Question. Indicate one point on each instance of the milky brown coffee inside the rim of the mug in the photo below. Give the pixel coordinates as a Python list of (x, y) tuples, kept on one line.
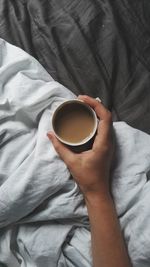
[(73, 123)]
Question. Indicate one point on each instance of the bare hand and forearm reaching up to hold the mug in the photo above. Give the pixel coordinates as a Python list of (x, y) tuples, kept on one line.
[(91, 170)]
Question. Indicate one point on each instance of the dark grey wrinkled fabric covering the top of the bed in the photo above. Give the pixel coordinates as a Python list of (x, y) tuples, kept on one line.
[(95, 47)]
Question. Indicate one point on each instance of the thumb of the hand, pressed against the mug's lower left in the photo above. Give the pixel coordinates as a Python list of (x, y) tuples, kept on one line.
[(65, 154)]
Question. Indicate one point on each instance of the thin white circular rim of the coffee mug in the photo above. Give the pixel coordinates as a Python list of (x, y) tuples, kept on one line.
[(85, 140)]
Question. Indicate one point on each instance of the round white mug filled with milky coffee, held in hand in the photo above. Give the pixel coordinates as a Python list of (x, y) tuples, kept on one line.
[(74, 123)]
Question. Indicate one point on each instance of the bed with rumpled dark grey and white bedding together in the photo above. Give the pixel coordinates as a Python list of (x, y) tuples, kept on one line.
[(99, 48)]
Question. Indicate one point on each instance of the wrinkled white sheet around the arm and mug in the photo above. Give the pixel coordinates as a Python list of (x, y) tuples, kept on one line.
[(43, 219)]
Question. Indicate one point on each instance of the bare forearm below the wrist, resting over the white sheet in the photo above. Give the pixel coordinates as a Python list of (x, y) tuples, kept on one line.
[(108, 247)]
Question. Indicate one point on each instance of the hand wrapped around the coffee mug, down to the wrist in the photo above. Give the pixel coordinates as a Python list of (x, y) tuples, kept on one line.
[(91, 169)]
